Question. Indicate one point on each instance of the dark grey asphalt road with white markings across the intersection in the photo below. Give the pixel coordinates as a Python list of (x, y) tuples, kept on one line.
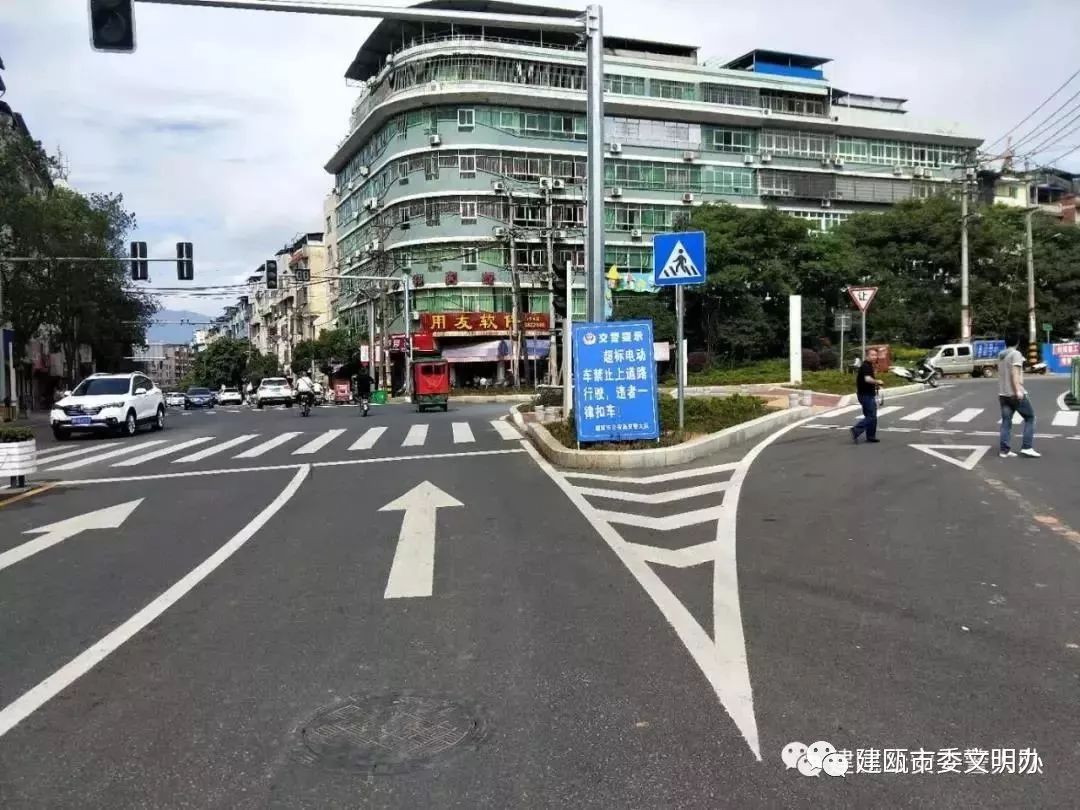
[(248, 627)]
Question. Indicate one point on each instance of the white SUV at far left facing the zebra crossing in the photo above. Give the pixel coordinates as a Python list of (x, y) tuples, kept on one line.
[(110, 402)]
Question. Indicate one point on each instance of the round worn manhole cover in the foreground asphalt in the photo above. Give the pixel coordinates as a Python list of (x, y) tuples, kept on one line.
[(390, 733)]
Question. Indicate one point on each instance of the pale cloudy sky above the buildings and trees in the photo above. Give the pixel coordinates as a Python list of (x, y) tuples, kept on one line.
[(218, 128)]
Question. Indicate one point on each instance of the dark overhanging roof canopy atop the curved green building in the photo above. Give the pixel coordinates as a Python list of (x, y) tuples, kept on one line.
[(393, 35)]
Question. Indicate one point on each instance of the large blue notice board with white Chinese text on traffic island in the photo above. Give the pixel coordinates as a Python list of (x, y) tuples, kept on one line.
[(615, 382)]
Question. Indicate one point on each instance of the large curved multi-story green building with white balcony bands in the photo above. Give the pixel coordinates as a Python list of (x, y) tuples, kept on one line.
[(465, 163)]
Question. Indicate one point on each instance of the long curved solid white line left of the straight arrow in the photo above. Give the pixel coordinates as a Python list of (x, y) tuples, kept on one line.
[(37, 697)]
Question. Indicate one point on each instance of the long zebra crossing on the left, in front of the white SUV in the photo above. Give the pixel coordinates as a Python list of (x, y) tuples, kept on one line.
[(121, 454)]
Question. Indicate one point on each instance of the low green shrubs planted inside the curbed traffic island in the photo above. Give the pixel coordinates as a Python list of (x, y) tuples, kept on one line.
[(703, 415)]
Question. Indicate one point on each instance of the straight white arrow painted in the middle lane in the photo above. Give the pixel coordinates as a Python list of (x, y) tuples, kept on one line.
[(413, 572)]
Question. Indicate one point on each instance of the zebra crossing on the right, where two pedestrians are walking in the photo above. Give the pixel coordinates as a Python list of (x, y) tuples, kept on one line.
[(965, 422)]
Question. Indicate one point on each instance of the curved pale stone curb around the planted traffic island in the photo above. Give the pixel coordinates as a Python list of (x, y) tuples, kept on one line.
[(661, 456)]
